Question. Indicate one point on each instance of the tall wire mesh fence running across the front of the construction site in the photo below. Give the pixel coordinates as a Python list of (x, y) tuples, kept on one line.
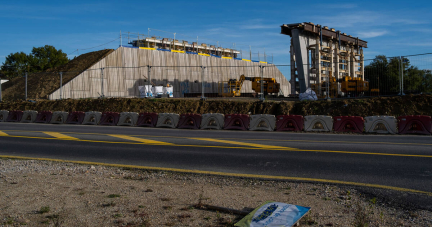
[(382, 76)]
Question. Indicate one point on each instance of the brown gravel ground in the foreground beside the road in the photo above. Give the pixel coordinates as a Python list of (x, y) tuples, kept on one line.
[(43, 193)]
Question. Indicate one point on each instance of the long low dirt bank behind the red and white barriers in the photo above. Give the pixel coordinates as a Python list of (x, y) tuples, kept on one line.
[(394, 106)]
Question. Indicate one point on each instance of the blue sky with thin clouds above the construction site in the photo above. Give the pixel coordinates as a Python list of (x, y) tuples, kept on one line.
[(392, 28)]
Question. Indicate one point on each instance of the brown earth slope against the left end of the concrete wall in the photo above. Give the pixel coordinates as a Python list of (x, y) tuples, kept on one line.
[(40, 85)]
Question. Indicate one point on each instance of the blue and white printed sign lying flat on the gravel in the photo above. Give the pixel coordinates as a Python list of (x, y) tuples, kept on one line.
[(273, 214)]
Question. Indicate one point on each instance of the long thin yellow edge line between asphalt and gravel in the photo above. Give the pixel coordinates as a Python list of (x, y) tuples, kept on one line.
[(267, 177)]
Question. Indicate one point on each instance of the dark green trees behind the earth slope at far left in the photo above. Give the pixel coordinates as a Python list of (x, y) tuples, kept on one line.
[(40, 59)]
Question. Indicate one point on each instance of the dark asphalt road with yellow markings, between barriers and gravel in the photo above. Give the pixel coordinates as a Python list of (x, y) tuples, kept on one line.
[(386, 160)]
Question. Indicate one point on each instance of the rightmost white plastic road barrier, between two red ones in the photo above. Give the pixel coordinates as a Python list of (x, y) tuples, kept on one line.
[(381, 124)]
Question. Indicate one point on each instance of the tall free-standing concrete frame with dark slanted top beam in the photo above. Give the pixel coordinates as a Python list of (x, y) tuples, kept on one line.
[(318, 53)]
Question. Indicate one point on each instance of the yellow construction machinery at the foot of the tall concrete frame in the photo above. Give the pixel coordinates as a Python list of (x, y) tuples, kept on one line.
[(353, 86)]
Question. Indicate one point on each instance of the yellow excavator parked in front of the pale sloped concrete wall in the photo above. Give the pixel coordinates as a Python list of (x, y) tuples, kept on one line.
[(233, 88)]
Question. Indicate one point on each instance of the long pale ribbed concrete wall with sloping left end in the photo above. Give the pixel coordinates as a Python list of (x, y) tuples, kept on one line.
[(121, 73)]
